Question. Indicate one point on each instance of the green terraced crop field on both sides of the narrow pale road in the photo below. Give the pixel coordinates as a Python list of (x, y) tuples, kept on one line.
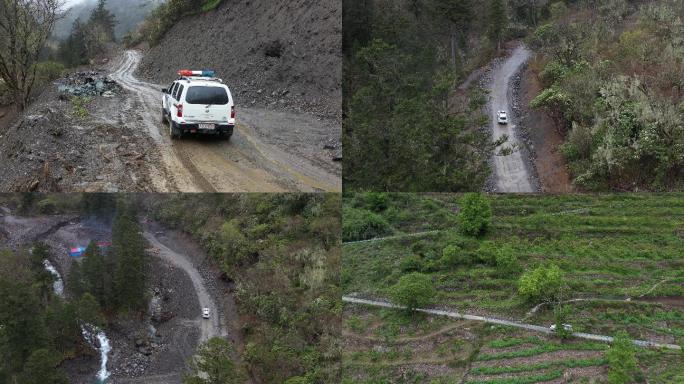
[(621, 257)]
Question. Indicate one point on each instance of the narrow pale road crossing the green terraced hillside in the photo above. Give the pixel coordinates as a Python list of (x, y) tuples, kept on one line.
[(508, 323)]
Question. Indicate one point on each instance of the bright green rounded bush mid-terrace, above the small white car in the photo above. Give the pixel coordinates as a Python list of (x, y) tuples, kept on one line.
[(542, 283)]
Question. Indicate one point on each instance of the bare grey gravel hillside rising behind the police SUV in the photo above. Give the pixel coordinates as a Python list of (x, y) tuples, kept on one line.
[(278, 54)]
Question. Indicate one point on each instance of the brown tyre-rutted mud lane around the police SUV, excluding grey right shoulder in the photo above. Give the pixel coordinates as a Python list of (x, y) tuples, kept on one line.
[(210, 165)]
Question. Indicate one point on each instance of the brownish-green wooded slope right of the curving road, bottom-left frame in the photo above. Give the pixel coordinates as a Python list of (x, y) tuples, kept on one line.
[(283, 253)]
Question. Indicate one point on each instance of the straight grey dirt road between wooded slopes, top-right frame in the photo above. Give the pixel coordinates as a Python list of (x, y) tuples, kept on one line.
[(511, 170)]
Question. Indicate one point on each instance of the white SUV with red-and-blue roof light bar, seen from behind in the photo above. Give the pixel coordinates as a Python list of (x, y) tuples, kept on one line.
[(198, 102)]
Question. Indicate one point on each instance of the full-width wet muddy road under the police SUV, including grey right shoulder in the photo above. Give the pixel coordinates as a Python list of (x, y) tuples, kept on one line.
[(249, 162)]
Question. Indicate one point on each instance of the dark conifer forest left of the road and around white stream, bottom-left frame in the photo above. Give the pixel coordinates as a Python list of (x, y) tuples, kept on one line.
[(38, 329)]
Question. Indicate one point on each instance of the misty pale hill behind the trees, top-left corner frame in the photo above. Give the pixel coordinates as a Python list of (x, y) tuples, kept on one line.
[(129, 13)]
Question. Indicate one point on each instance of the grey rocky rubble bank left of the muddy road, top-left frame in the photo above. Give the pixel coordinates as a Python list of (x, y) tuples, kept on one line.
[(51, 148)]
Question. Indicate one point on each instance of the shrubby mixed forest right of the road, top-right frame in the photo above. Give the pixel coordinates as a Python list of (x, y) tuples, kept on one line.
[(613, 73)]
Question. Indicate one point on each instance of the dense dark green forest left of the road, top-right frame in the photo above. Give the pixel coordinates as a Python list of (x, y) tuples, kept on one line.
[(406, 126)]
